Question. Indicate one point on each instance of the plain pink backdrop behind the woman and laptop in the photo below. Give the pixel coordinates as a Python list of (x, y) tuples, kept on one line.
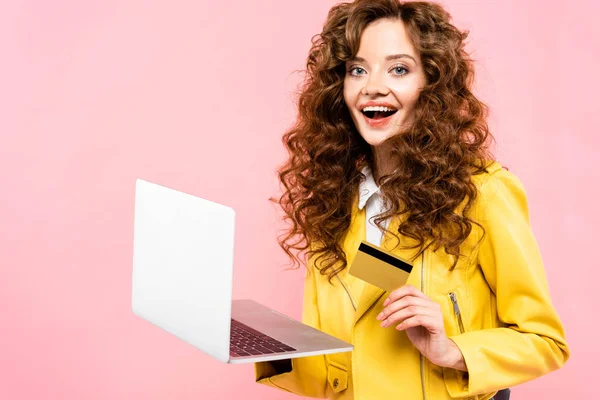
[(196, 95)]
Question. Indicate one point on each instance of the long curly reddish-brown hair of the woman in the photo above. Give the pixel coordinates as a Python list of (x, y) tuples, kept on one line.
[(445, 145)]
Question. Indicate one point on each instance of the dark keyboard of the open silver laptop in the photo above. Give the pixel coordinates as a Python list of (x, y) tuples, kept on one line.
[(246, 341)]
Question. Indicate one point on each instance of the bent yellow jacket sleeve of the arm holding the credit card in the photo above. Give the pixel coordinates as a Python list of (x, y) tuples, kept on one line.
[(533, 341)]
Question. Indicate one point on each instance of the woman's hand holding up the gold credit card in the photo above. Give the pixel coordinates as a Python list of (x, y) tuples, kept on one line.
[(410, 310)]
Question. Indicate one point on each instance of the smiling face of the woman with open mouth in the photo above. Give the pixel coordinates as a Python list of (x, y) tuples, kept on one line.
[(383, 82)]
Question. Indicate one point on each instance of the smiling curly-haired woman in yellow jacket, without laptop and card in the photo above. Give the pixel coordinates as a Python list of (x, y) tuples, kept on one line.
[(391, 147)]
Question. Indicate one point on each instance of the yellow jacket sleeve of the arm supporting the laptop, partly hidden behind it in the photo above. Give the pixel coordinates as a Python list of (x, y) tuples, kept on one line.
[(308, 376)]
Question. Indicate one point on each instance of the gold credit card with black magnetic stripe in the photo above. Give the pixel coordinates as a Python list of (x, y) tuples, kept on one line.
[(379, 267)]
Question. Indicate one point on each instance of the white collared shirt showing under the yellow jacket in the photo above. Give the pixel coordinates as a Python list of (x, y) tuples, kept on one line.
[(370, 197)]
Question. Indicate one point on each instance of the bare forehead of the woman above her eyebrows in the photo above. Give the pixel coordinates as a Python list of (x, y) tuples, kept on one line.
[(384, 37)]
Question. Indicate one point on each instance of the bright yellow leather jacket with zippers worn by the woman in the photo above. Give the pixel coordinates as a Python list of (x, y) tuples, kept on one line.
[(495, 302)]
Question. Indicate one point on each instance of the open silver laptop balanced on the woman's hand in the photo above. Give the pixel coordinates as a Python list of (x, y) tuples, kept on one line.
[(182, 282)]
